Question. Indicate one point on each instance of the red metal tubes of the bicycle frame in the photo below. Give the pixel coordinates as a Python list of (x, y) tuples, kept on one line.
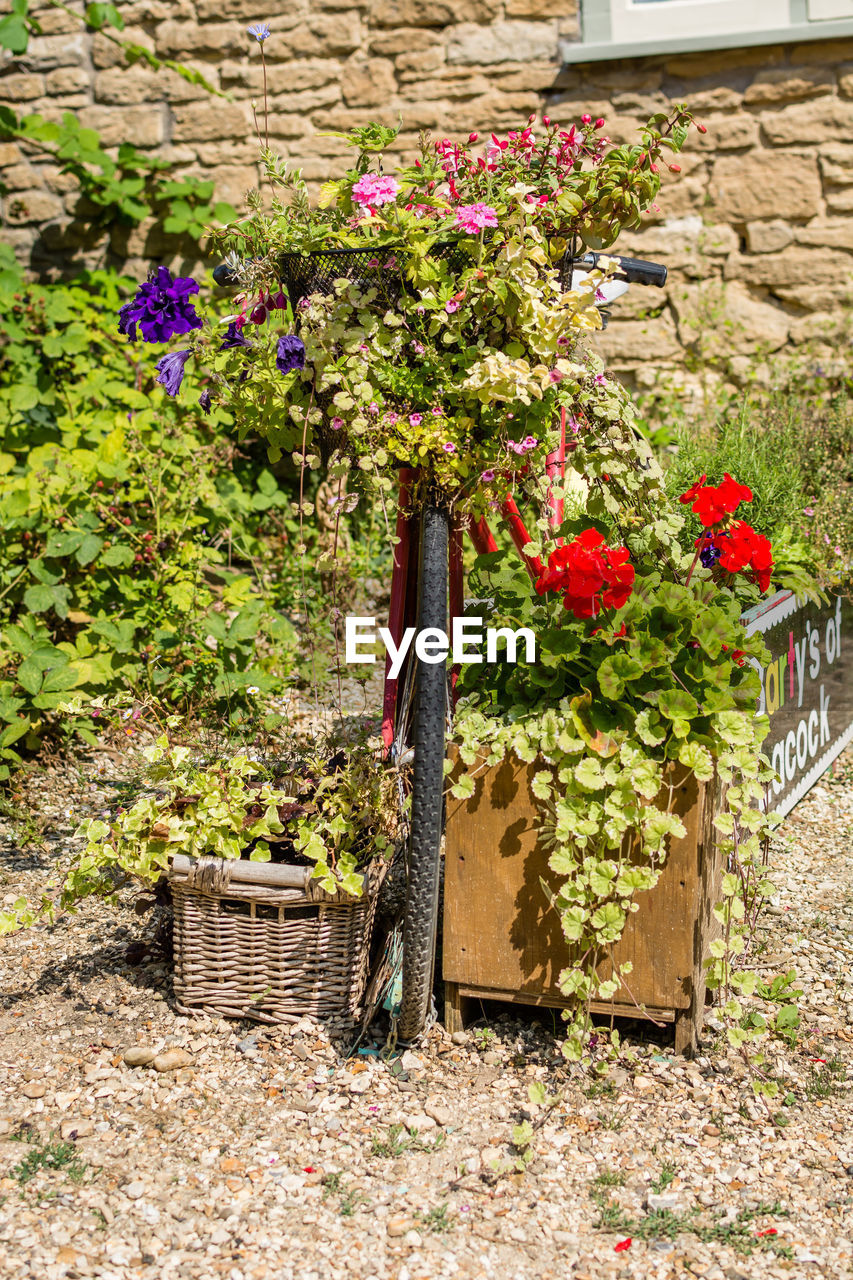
[(478, 531)]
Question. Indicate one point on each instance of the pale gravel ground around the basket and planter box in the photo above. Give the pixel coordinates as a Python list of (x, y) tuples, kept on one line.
[(248, 1153)]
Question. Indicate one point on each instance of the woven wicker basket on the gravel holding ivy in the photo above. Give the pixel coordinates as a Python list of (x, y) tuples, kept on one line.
[(264, 941)]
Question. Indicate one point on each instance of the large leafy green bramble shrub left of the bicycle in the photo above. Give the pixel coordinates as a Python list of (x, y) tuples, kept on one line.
[(135, 533)]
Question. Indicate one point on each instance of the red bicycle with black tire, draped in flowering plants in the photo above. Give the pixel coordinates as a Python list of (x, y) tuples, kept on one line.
[(418, 703)]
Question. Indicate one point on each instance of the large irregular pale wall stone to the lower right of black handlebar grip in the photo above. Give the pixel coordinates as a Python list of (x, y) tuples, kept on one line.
[(717, 318)]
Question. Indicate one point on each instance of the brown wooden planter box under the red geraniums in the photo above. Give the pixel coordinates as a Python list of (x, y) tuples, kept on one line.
[(503, 940)]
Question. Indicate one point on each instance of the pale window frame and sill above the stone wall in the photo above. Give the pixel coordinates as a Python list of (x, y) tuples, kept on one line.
[(599, 43)]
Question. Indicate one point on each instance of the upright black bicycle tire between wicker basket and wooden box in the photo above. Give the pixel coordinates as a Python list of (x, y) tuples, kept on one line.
[(421, 918)]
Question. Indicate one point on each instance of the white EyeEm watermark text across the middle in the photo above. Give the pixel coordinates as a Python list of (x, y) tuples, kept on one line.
[(434, 646)]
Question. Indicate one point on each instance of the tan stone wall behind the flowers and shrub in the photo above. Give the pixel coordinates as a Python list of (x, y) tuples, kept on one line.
[(758, 230)]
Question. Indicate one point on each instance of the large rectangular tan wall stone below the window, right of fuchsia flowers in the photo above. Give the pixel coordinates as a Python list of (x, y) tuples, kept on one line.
[(756, 186)]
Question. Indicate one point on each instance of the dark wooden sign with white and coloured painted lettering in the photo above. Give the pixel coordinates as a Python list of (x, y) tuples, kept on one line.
[(806, 691)]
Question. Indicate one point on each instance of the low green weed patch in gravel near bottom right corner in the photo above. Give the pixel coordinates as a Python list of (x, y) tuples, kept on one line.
[(667, 1226)]
